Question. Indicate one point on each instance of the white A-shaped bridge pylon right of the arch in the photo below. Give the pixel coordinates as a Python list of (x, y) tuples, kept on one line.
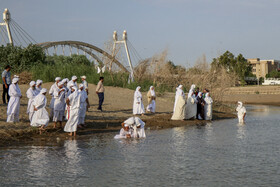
[(123, 41)]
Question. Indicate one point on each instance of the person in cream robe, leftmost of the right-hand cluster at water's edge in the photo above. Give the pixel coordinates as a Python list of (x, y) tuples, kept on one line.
[(180, 105)]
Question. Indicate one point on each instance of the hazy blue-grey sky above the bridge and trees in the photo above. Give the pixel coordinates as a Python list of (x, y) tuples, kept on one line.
[(188, 29)]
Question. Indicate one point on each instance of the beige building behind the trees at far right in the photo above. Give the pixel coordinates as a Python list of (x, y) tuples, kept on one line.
[(262, 67)]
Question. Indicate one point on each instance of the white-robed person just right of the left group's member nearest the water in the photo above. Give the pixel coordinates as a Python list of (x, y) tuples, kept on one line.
[(84, 104)]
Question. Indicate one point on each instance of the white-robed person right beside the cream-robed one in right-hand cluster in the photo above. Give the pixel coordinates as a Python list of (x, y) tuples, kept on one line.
[(191, 108)]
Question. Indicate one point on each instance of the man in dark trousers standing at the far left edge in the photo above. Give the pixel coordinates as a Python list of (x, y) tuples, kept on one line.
[(6, 79)]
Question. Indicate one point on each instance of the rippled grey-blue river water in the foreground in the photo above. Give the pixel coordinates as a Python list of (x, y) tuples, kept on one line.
[(221, 153)]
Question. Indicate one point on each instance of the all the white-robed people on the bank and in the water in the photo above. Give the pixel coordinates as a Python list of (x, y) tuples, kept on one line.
[(70, 102)]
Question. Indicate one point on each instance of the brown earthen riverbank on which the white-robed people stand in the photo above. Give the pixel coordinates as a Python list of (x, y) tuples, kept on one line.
[(117, 107)]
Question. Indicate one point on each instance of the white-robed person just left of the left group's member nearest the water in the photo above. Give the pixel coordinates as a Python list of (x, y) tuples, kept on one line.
[(59, 104)]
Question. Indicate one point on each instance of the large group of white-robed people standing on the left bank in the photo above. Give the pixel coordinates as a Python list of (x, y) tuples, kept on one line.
[(69, 102)]
